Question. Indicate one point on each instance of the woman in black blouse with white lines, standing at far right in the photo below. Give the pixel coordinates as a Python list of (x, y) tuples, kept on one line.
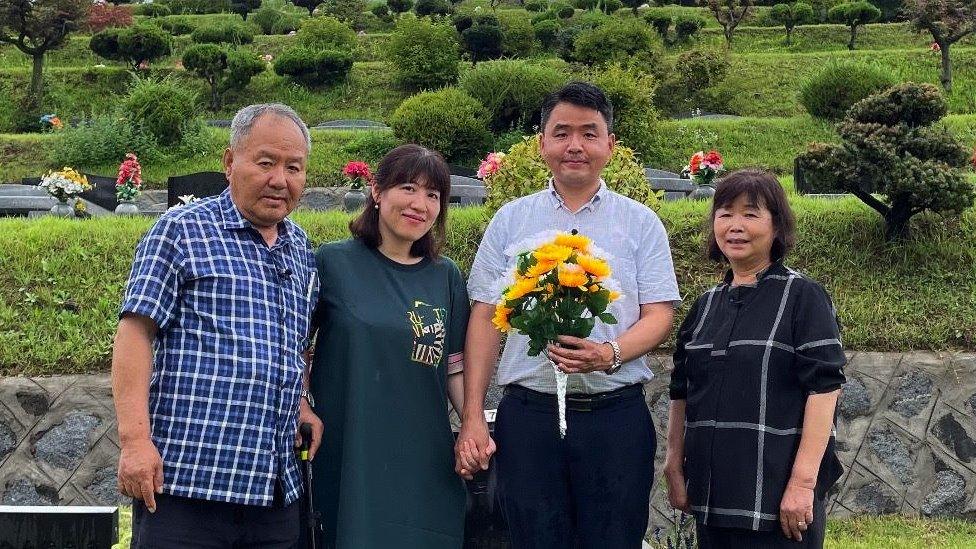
[(757, 371)]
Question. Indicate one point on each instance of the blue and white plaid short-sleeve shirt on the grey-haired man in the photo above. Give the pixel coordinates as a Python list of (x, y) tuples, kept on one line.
[(233, 317)]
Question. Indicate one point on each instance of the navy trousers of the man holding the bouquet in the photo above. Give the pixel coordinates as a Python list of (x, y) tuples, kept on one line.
[(589, 490)]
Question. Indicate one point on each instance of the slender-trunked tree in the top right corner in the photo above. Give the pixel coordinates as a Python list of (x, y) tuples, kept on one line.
[(948, 21)]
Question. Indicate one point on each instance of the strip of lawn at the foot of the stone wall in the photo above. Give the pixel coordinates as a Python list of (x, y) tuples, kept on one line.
[(858, 533)]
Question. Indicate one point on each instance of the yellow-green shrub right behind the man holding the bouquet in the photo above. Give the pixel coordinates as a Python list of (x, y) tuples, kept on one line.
[(523, 172)]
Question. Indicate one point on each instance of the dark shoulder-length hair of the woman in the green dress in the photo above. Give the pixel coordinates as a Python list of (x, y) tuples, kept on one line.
[(407, 164)]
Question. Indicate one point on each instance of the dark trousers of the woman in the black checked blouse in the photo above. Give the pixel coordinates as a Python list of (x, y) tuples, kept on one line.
[(714, 537)]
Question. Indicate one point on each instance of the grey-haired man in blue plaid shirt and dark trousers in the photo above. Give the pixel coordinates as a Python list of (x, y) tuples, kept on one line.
[(207, 369)]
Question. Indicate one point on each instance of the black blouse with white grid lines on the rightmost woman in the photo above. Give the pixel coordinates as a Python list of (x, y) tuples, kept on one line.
[(746, 359)]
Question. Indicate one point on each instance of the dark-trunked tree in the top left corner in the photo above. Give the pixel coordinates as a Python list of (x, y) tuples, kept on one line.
[(38, 26)]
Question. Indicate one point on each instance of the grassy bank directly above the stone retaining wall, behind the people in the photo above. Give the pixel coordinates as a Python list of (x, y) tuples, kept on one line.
[(62, 279)]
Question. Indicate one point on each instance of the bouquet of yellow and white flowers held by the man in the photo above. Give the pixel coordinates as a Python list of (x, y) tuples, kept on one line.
[(561, 285)]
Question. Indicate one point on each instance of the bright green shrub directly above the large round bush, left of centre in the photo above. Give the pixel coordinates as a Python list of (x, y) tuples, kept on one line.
[(424, 54)]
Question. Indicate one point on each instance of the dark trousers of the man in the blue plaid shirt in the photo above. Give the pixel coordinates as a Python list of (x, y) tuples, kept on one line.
[(196, 523)]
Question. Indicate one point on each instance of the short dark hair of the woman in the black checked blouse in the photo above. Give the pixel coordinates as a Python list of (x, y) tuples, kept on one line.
[(762, 189)]
